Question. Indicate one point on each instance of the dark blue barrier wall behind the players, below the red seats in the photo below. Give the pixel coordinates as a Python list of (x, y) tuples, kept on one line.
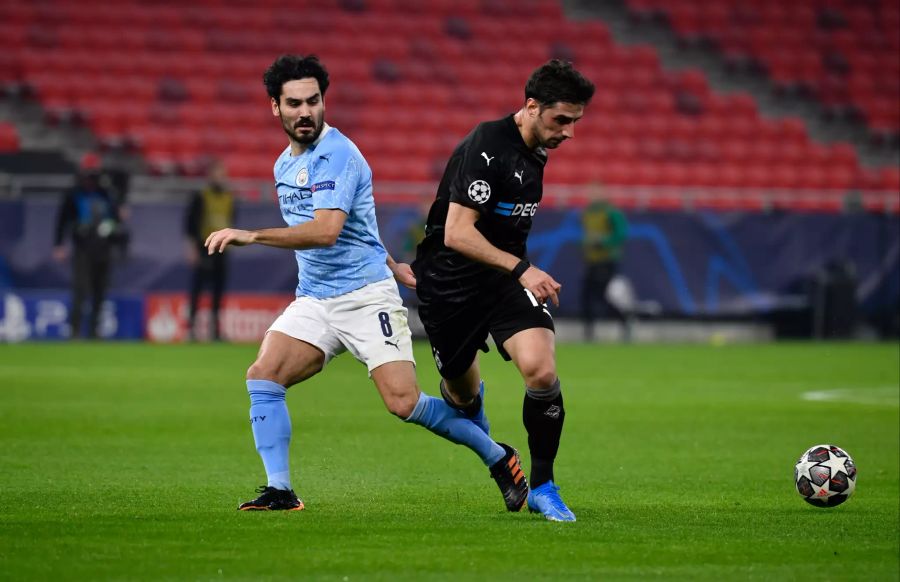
[(688, 264)]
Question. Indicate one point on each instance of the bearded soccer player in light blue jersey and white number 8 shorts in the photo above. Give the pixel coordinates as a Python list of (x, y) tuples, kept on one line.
[(347, 299)]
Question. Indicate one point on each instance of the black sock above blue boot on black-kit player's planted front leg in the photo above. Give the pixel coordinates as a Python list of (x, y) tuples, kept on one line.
[(543, 415)]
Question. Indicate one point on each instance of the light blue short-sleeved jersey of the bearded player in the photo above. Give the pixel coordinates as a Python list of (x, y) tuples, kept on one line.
[(332, 173)]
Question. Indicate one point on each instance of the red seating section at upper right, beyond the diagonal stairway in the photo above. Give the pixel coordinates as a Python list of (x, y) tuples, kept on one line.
[(845, 53)]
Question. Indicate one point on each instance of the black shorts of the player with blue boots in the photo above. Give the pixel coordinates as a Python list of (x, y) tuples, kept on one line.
[(458, 330)]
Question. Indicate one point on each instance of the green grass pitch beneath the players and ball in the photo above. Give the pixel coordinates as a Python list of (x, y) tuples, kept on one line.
[(127, 461)]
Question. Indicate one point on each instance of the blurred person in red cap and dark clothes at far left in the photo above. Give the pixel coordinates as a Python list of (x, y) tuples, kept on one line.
[(92, 216)]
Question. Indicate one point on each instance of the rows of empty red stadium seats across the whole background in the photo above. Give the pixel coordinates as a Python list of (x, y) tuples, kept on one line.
[(182, 84)]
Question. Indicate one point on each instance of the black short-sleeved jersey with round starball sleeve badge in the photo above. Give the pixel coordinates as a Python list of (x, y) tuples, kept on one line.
[(494, 172)]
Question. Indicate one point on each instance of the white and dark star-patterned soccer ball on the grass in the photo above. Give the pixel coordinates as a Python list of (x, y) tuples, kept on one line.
[(825, 476)]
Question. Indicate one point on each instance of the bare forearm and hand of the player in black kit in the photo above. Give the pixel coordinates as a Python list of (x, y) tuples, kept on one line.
[(461, 235)]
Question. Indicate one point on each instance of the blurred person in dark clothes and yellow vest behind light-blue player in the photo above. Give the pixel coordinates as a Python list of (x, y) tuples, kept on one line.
[(211, 209)]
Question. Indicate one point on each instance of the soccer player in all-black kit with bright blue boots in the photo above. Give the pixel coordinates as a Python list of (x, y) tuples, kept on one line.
[(473, 275)]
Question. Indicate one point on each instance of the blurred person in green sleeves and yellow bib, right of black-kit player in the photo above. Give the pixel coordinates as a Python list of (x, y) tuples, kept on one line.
[(605, 230)]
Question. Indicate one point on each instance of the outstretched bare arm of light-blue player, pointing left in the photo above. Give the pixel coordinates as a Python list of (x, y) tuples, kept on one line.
[(321, 231)]
